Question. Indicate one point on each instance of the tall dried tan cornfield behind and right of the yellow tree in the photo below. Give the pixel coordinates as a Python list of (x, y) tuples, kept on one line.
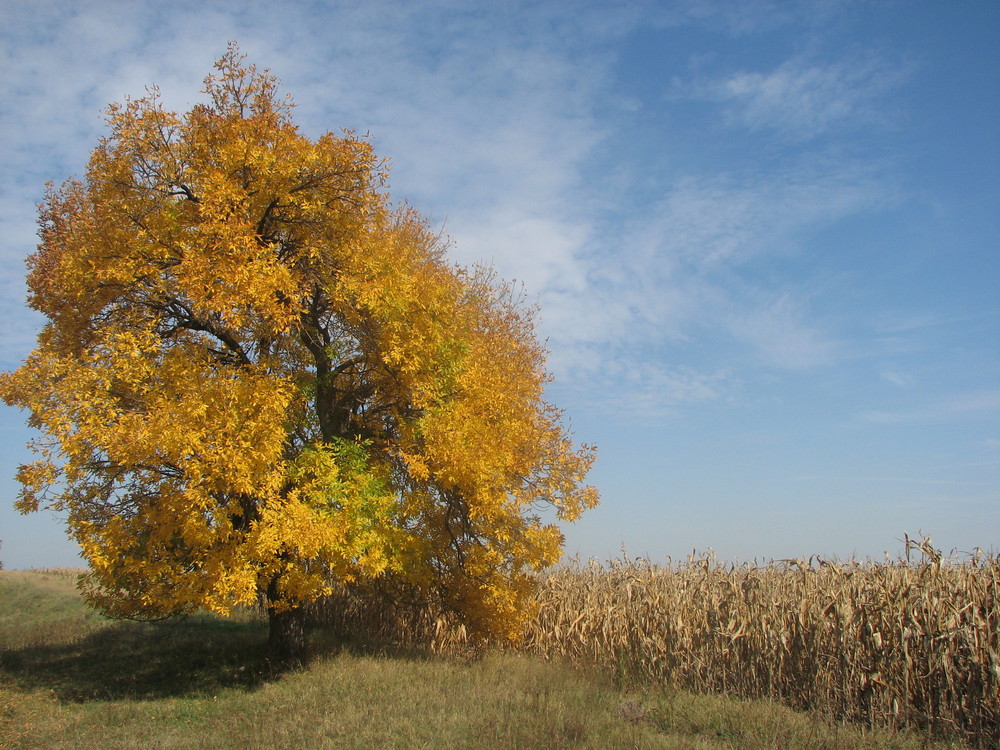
[(904, 643)]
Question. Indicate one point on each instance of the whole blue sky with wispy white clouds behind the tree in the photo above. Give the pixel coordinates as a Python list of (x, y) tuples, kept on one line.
[(764, 237)]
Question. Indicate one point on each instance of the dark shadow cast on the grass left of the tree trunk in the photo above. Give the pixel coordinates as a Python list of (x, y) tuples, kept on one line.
[(198, 655)]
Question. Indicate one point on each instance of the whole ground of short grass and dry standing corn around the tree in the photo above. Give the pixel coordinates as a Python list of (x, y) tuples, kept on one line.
[(617, 657)]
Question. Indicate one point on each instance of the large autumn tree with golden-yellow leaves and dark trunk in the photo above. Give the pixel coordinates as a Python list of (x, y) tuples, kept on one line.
[(258, 378)]
